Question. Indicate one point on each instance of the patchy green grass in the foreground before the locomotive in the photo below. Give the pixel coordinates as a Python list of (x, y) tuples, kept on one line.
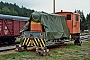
[(66, 52)]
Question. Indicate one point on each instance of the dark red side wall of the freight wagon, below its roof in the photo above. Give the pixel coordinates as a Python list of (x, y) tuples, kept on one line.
[(11, 27)]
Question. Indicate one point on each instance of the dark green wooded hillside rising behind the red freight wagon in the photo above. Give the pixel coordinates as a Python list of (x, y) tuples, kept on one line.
[(13, 9)]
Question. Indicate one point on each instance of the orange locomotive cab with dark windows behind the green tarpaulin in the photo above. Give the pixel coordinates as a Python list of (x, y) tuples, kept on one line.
[(73, 23)]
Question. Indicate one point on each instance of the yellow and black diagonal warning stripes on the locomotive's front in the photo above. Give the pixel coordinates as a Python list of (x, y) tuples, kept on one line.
[(36, 42)]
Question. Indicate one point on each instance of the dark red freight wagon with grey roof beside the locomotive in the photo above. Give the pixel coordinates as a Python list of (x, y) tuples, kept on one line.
[(10, 27)]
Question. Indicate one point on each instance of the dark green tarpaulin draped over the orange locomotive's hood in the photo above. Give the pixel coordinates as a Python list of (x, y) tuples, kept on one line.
[(55, 25)]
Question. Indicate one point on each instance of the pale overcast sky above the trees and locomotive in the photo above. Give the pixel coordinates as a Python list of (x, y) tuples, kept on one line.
[(47, 5)]
